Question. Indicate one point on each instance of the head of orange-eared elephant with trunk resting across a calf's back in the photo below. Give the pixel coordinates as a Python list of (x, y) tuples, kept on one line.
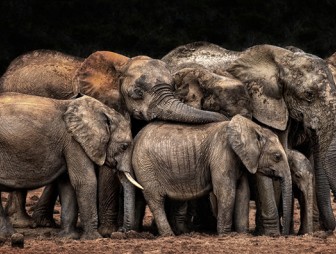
[(140, 84)]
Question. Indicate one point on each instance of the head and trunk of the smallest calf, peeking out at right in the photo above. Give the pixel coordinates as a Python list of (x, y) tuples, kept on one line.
[(302, 177)]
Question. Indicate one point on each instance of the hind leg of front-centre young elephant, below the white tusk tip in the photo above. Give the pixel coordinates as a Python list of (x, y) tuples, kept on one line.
[(156, 204)]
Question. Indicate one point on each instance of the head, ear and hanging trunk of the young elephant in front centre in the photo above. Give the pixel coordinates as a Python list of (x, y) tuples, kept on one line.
[(261, 152)]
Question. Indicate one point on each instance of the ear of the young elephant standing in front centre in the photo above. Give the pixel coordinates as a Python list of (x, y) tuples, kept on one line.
[(247, 140)]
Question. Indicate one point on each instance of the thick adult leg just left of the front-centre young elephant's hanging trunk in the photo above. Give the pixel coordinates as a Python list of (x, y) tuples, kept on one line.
[(267, 217)]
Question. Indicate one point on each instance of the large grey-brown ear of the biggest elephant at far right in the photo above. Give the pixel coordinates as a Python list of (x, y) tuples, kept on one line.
[(258, 67)]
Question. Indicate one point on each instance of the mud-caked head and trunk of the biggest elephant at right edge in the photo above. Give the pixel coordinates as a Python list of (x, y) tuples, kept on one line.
[(282, 83)]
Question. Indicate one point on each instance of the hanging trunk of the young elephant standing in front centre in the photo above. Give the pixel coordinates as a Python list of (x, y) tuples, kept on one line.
[(287, 202)]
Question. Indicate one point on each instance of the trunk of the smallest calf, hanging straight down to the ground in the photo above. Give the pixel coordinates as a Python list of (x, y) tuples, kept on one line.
[(306, 210)]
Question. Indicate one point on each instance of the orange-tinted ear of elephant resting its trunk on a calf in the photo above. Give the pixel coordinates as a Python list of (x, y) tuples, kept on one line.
[(99, 75)]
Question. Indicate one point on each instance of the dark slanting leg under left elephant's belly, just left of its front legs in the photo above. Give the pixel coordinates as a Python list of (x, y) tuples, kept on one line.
[(44, 209)]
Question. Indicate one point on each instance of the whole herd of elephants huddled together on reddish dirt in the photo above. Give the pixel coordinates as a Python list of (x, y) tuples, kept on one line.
[(201, 131)]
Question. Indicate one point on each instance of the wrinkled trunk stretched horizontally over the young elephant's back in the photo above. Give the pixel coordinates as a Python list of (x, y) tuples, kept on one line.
[(166, 107)]
